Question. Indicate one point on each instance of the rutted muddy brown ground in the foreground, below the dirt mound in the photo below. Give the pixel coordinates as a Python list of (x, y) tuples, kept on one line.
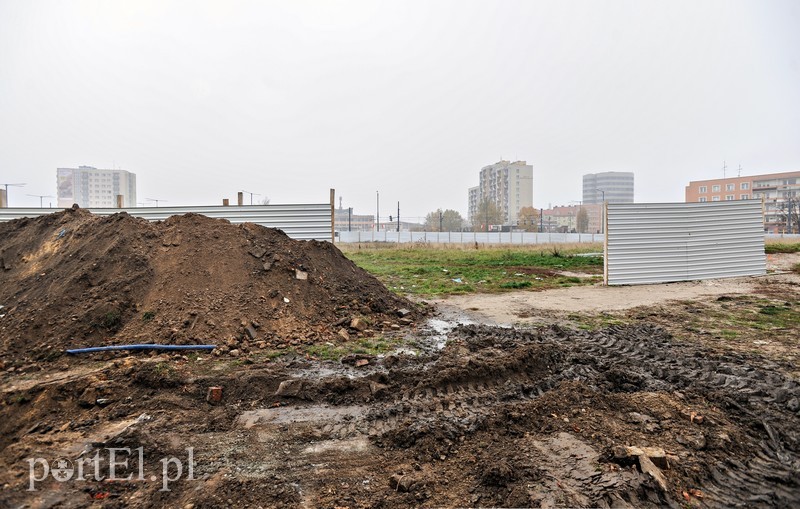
[(639, 407)]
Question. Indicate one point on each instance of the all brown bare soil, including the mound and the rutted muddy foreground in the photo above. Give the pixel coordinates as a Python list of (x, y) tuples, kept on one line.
[(471, 415)]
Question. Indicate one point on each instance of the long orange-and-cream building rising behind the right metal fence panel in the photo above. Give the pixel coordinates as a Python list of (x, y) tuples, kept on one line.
[(780, 192)]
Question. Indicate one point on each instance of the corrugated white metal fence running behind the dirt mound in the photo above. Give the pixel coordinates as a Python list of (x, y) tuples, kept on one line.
[(300, 221)]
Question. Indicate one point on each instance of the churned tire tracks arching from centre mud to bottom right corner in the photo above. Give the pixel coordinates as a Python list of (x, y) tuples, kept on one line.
[(505, 367)]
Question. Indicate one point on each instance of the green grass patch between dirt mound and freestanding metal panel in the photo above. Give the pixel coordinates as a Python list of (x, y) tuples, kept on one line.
[(433, 271)]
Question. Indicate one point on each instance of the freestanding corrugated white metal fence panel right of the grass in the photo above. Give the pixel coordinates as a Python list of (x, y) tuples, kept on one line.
[(665, 242)]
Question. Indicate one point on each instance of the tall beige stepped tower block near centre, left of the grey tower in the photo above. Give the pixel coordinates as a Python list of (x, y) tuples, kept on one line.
[(508, 185)]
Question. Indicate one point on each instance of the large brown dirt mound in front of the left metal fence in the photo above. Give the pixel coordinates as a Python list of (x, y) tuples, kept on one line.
[(72, 279)]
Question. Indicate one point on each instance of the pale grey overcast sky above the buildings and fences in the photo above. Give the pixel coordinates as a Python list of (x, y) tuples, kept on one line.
[(289, 99)]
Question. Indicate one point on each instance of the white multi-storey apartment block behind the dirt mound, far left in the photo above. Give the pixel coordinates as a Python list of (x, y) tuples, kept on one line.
[(90, 187)]
